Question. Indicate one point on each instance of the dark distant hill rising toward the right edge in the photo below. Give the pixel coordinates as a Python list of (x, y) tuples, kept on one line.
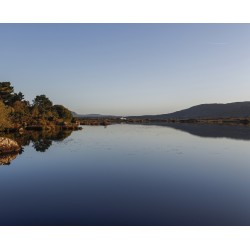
[(234, 110)]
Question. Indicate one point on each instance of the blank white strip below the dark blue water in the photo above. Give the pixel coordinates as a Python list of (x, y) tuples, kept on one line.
[(124, 238)]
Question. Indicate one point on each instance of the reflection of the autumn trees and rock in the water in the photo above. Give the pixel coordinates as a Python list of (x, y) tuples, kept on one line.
[(41, 141)]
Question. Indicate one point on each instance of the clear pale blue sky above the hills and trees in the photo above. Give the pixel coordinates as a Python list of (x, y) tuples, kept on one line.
[(128, 69)]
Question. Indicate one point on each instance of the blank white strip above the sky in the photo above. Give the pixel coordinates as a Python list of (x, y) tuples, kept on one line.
[(128, 11)]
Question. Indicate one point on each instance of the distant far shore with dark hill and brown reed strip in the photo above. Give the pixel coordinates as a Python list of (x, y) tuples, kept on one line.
[(236, 113)]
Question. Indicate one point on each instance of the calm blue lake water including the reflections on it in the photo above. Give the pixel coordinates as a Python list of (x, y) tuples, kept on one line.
[(130, 175)]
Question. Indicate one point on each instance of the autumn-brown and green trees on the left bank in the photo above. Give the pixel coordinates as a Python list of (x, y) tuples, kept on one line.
[(18, 114)]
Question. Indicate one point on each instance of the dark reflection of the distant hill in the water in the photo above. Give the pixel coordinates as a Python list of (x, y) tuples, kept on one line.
[(239, 132)]
